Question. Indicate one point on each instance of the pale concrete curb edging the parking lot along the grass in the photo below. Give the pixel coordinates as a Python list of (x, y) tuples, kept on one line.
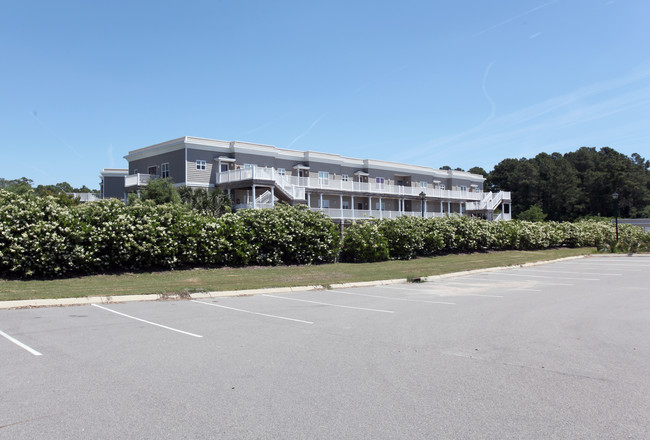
[(78, 301)]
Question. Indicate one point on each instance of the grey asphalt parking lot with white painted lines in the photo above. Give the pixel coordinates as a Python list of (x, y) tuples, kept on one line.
[(552, 351)]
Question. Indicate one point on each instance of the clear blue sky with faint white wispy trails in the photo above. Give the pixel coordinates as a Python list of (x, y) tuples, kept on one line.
[(459, 83)]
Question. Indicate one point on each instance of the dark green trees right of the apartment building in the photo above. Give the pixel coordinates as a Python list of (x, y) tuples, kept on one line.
[(576, 184)]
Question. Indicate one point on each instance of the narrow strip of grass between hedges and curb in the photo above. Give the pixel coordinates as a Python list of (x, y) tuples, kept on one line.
[(195, 280)]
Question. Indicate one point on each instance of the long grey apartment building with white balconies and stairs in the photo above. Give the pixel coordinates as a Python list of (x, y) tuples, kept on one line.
[(258, 176)]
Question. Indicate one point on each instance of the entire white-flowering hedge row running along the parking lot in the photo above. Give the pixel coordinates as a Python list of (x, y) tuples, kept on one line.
[(40, 237)]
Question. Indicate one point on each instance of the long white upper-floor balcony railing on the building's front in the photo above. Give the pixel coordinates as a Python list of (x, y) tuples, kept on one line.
[(292, 183)]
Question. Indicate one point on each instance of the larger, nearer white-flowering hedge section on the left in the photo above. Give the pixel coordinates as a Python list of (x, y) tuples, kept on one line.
[(41, 238)]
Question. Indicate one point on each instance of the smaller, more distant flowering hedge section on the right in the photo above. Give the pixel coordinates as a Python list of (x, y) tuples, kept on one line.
[(409, 237)]
